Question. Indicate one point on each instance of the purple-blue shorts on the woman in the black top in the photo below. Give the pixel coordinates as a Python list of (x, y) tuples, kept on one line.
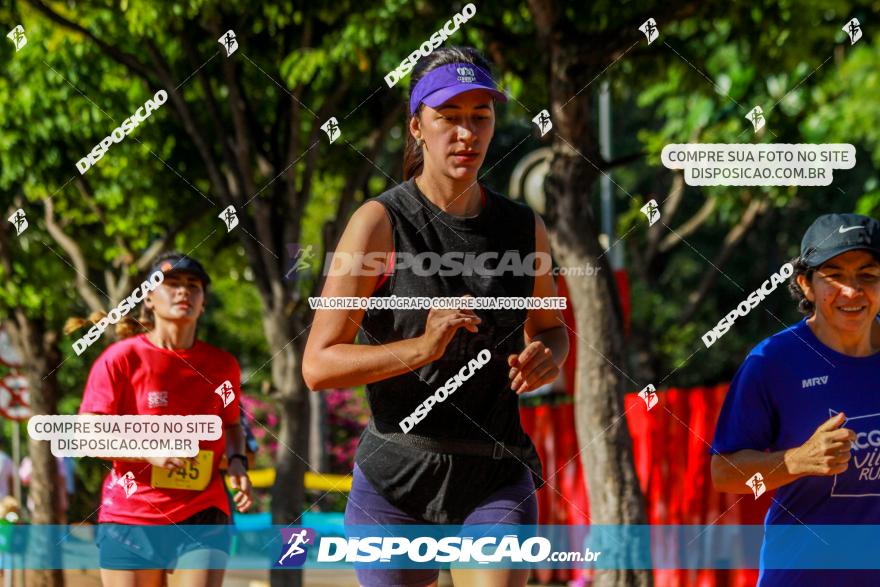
[(513, 504)]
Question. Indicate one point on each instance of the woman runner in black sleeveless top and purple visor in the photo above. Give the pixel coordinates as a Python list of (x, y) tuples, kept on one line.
[(445, 444)]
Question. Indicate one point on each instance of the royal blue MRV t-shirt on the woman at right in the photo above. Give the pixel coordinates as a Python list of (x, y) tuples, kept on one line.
[(786, 387)]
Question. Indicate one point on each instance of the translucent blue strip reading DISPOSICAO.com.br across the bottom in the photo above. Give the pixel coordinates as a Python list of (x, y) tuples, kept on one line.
[(117, 546)]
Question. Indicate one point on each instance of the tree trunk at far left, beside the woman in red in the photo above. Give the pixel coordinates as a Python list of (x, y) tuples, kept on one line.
[(41, 355)]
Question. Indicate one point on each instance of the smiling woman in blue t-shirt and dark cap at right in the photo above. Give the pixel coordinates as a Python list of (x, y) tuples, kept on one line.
[(803, 410)]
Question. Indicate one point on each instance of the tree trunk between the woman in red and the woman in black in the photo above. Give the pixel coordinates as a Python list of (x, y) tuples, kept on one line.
[(291, 462)]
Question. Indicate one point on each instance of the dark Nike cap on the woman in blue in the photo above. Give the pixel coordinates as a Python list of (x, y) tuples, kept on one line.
[(834, 234)]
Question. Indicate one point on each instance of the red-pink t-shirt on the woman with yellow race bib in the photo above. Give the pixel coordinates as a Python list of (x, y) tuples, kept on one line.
[(133, 376)]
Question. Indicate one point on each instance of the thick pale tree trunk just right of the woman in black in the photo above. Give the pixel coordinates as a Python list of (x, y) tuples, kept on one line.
[(606, 447)]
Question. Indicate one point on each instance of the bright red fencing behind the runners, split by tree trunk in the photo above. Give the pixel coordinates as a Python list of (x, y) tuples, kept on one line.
[(671, 451)]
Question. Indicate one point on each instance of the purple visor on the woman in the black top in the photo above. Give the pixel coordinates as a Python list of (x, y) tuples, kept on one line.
[(447, 81)]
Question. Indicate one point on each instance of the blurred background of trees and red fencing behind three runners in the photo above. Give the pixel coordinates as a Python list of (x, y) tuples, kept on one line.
[(244, 130)]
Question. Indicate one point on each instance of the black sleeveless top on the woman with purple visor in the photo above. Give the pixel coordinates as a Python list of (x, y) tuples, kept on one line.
[(445, 488)]
